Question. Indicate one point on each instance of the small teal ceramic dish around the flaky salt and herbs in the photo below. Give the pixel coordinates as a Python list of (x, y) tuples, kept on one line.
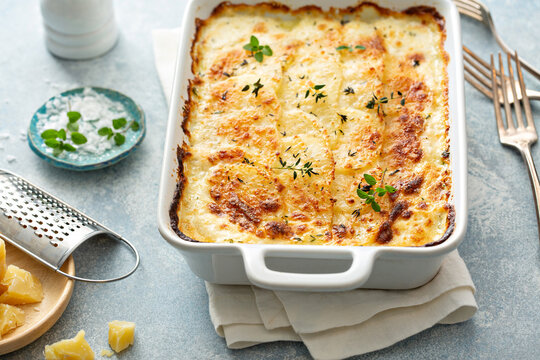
[(84, 161)]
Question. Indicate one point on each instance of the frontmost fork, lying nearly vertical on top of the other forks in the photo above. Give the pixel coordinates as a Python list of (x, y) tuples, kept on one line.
[(522, 135)]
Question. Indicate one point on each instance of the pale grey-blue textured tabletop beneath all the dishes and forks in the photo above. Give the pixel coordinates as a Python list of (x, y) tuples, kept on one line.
[(168, 303)]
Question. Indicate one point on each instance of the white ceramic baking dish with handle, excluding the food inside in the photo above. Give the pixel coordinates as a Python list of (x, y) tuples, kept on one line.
[(317, 267)]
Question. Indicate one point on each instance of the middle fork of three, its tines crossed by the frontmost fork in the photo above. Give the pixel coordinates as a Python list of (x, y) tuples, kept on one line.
[(478, 74)]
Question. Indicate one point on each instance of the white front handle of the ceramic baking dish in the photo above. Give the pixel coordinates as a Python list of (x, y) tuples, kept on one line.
[(260, 275)]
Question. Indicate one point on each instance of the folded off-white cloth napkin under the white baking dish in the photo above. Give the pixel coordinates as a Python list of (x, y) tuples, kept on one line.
[(331, 325)]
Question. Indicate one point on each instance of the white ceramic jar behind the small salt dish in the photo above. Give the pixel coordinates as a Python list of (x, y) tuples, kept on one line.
[(79, 29)]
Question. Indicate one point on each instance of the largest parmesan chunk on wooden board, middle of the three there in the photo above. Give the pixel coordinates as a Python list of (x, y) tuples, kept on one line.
[(23, 287)]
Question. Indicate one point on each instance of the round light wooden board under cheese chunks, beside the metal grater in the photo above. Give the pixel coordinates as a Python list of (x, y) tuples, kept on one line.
[(40, 317)]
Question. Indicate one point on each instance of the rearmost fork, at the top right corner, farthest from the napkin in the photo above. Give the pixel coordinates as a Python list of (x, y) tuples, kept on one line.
[(477, 10)]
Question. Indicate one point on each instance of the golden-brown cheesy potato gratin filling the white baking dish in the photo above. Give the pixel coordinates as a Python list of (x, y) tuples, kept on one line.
[(283, 165)]
